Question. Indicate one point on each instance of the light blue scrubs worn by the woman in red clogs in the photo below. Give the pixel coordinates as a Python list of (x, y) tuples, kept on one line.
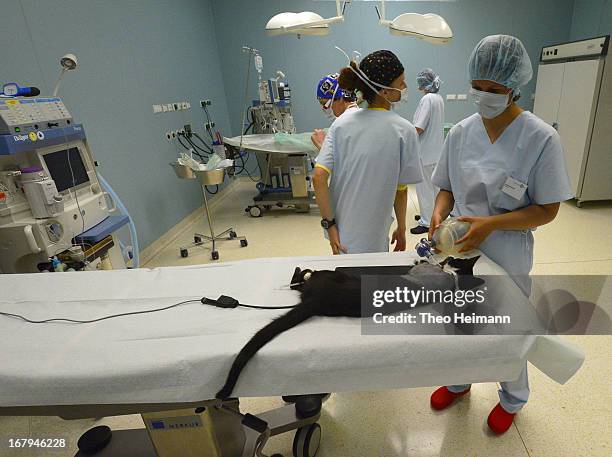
[(528, 152)]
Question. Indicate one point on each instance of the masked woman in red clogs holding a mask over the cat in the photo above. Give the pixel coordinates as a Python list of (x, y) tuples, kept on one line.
[(503, 171)]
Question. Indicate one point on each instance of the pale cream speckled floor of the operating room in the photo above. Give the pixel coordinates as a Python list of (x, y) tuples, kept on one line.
[(570, 420)]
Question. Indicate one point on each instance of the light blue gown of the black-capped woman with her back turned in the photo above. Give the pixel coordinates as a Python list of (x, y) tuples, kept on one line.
[(370, 154)]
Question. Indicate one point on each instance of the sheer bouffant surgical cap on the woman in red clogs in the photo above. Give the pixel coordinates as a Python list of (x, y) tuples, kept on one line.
[(502, 59)]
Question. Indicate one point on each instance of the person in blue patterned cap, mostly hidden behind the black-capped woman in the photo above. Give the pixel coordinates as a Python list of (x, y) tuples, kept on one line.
[(334, 102)]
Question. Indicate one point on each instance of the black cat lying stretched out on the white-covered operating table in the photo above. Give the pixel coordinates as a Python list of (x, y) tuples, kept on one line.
[(338, 294)]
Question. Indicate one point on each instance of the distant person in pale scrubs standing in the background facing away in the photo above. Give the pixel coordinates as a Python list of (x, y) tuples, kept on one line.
[(428, 120)]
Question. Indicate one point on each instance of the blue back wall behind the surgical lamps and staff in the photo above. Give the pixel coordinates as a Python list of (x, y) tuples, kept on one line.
[(240, 22)]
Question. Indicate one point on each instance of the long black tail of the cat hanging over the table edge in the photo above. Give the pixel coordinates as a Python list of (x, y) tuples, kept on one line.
[(289, 320)]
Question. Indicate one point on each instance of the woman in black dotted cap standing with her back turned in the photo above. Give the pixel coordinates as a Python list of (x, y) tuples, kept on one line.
[(369, 156)]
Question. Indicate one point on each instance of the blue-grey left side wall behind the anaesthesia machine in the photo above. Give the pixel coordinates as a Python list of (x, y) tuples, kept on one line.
[(131, 54)]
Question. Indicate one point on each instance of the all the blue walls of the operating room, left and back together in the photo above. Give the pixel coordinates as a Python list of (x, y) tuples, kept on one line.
[(135, 53)]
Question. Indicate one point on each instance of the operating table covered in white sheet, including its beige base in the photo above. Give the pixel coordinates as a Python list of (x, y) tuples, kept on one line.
[(168, 365)]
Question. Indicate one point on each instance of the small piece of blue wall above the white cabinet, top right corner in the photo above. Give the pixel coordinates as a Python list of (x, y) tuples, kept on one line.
[(591, 18)]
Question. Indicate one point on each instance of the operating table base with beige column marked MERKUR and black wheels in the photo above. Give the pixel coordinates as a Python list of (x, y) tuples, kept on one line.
[(212, 428)]
